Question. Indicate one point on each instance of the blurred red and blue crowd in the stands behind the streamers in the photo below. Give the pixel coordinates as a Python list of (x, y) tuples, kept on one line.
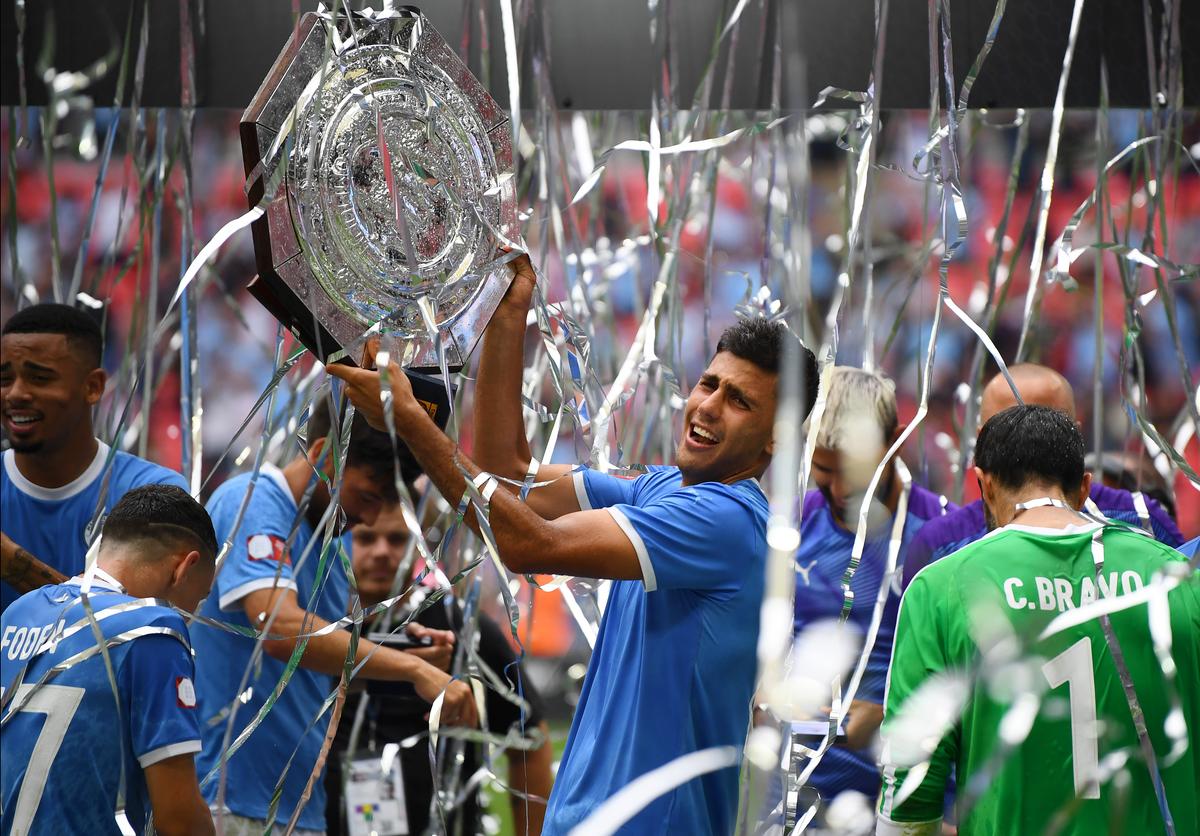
[(134, 232)]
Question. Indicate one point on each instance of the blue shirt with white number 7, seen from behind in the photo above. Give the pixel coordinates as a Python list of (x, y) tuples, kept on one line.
[(61, 755)]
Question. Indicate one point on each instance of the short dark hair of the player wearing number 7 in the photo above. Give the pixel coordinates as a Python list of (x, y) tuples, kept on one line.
[(161, 515)]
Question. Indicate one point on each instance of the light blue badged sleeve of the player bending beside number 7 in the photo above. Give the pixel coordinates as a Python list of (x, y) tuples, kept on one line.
[(259, 557)]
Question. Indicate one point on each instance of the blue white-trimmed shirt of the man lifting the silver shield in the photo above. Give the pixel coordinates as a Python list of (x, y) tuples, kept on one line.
[(675, 661)]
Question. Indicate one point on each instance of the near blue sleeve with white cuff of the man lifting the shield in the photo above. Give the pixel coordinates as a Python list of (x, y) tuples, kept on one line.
[(699, 538)]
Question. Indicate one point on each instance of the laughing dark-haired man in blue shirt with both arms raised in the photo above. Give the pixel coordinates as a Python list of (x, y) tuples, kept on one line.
[(675, 663)]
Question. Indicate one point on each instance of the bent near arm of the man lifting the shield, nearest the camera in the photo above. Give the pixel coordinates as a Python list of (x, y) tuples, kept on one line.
[(587, 544)]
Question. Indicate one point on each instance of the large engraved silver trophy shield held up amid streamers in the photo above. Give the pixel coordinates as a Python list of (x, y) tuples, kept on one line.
[(387, 171)]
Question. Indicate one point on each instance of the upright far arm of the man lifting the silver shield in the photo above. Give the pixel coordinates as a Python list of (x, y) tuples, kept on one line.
[(501, 443)]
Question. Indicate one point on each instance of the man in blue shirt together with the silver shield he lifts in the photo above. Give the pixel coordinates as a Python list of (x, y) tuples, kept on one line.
[(382, 219)]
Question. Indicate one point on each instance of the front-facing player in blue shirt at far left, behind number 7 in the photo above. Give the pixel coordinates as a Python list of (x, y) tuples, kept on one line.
[(58, 480)]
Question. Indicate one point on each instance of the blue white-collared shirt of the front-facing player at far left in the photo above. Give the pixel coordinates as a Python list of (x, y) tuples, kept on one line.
[(53, 524)]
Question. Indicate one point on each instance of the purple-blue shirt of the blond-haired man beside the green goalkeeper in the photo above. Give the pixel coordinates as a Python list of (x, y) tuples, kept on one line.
[(821, 563)]
